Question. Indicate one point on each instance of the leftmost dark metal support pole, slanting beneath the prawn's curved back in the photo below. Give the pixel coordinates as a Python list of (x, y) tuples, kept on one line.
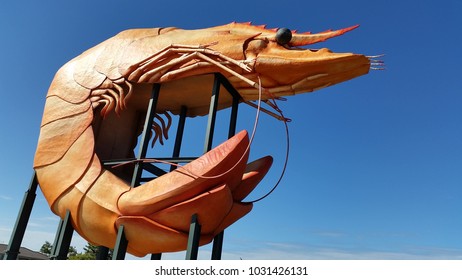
[(19, 229)]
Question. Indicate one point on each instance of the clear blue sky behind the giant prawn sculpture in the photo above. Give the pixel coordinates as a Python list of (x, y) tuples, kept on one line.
[(375, 168)]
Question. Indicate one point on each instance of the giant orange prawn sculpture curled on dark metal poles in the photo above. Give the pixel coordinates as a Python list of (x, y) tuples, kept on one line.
[(92, 113)]
